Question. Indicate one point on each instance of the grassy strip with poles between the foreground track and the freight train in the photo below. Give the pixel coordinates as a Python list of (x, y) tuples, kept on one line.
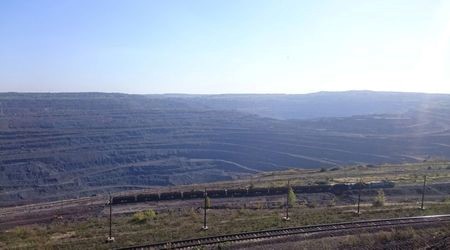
[(186, 223)]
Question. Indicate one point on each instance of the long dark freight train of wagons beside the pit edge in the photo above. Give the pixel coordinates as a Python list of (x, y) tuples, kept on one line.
[(248, 192)]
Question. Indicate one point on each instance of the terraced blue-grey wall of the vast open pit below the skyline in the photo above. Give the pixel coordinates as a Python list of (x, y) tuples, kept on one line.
[(85, 143)]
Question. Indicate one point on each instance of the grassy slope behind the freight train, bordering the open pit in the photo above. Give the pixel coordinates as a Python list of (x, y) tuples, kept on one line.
[(410, 173)]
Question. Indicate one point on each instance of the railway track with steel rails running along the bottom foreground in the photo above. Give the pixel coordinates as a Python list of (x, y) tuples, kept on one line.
[(304, 230)]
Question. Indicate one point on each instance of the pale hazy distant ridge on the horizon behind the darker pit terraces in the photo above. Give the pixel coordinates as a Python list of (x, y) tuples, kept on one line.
[(321, 104)]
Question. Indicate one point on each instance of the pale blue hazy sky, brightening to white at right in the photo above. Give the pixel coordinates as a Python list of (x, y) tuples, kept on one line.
[(212, 46)]
